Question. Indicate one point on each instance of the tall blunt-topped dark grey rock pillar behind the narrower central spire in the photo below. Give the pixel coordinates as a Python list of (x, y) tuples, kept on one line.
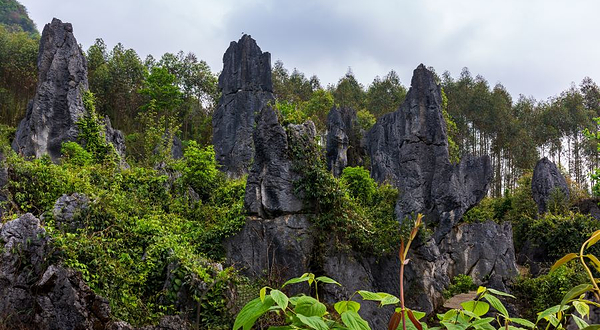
[(246, 87)]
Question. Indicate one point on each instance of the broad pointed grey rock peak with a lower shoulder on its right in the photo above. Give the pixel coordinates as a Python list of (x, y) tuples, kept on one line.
[(409, 149)]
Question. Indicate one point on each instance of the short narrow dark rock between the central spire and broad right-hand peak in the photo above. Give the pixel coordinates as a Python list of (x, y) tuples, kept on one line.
[(343, 140)]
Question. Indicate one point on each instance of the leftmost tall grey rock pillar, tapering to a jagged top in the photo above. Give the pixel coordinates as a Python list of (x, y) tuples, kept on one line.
[(57, 105)]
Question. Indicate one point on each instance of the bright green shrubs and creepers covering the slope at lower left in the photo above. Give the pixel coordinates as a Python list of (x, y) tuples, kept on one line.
[(142, 227)]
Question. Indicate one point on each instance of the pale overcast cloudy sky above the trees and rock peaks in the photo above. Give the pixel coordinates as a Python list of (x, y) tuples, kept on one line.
[(533, 47)]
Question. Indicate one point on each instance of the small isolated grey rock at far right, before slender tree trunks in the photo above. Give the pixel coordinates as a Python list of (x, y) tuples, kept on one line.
[(546, 179)]
